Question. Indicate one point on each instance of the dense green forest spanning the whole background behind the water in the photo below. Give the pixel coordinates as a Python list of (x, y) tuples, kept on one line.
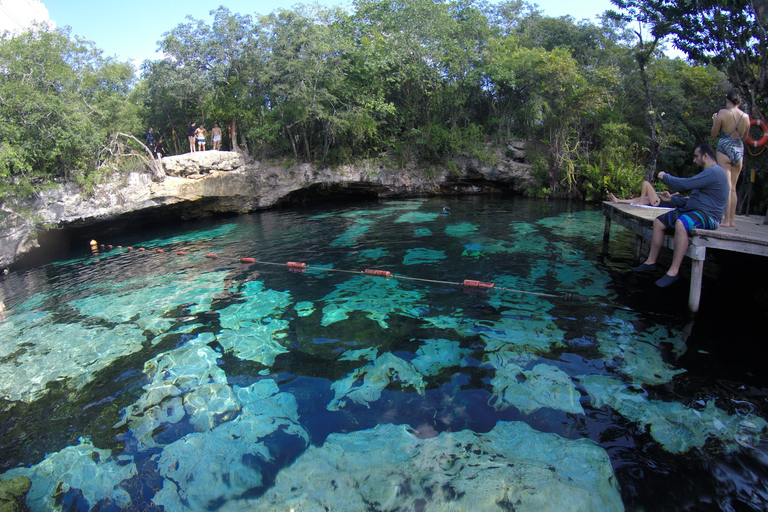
[(412, 82)]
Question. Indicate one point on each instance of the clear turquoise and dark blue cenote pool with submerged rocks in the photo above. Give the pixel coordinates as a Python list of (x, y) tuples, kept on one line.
[(145, 380)]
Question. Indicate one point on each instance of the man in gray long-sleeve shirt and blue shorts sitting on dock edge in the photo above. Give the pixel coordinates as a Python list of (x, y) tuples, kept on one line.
[(703, 210)]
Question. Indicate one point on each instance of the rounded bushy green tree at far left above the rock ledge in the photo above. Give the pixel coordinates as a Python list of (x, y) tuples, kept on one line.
[(60, 101)]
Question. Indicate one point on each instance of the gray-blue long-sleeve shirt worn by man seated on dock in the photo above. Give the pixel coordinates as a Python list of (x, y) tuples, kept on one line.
[(709, 191)]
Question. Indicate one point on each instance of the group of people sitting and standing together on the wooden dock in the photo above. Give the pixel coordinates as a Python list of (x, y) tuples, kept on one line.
[(712, 200)]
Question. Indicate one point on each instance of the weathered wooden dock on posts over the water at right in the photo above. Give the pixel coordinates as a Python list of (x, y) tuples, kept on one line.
[(750, 236)]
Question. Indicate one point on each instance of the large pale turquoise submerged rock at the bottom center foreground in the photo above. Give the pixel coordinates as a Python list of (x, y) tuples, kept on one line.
[(387, 468)]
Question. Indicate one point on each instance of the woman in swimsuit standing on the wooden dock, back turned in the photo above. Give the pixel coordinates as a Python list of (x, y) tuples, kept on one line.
[(731, 125)]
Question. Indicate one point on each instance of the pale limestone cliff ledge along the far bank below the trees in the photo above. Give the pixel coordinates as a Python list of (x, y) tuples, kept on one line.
[(204, 183)]
